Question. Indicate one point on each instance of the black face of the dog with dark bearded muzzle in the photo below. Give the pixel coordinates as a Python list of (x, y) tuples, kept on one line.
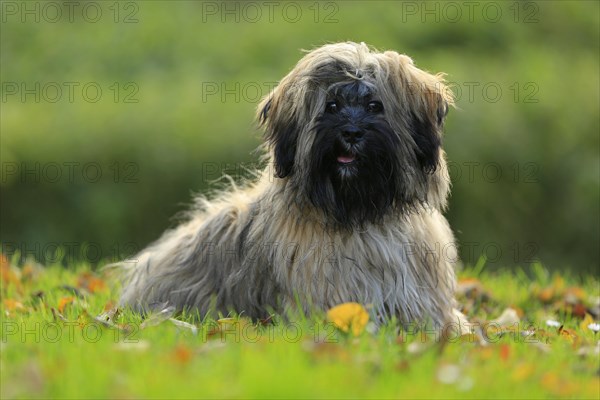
[(353, 155)]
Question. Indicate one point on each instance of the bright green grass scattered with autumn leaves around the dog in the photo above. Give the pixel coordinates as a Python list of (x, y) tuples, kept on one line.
[(53, 346)]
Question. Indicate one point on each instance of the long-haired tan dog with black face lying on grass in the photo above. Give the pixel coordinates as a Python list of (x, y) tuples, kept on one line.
[(348, 209)]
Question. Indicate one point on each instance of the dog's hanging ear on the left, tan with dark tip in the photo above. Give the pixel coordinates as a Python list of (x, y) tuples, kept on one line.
[(281, 131)]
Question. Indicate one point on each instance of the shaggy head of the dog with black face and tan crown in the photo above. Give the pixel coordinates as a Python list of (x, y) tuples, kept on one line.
[(358, 133)]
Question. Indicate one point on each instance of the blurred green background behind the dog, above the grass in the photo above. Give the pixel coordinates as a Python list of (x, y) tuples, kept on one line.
[(112, 114)]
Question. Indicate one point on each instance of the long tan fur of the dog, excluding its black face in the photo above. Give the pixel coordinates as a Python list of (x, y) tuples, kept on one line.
[(264, 248)]
